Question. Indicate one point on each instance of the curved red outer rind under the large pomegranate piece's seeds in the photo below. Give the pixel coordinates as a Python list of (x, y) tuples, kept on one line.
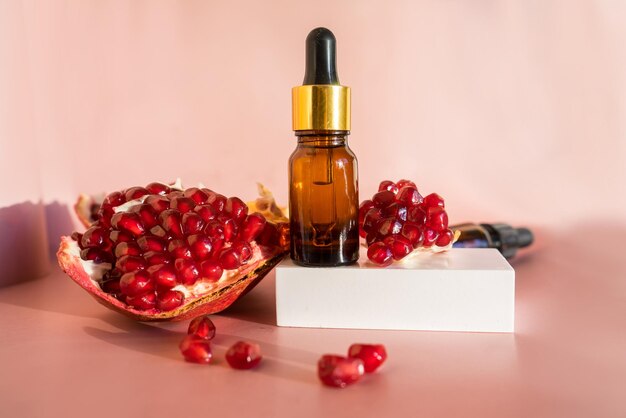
[(209, 303)]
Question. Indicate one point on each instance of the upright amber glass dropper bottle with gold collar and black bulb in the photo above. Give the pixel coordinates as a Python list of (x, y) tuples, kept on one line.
[(323, 184)]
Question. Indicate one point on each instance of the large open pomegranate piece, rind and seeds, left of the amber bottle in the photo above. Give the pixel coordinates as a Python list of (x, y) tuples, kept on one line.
[(162, 252)]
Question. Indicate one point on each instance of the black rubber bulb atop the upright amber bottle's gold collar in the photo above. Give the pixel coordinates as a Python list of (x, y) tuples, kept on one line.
[(321, 58)]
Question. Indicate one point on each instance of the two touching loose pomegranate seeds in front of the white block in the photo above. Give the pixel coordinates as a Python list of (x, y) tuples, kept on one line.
[(339, 371)]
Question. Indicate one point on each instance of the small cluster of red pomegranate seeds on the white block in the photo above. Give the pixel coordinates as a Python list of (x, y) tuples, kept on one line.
[(398, 220)]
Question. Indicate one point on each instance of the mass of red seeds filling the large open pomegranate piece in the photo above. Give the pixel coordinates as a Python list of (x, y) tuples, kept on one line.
[(164, 237)]
